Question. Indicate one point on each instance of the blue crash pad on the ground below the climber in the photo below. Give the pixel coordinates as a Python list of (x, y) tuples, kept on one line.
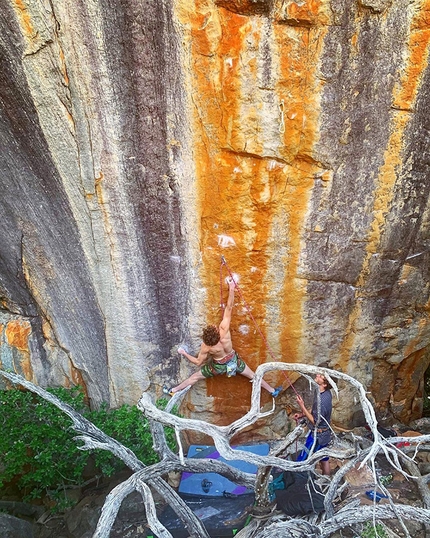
[(213, 484)]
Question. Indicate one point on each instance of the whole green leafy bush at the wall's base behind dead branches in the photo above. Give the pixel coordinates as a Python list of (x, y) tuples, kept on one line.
[(37, 450)]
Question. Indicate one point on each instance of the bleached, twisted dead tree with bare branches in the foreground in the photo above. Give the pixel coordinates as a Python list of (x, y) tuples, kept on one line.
[(352, 453)]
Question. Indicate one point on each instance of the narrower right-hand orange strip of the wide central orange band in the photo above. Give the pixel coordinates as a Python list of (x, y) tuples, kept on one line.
[(300, 88)]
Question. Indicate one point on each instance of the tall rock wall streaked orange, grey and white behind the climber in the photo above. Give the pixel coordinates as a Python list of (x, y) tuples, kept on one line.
[(144, 140)]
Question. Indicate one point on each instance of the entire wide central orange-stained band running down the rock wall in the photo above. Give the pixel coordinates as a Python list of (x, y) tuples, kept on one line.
[(246, 178)]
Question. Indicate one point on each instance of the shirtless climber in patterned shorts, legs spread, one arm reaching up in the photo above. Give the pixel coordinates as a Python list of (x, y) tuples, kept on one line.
[(217, 355)]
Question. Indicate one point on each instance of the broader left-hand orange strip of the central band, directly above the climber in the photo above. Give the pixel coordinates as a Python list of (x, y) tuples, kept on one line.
[(229, 180)]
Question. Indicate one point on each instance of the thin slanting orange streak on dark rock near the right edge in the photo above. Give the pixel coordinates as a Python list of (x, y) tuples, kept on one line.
[(404, 99)]
